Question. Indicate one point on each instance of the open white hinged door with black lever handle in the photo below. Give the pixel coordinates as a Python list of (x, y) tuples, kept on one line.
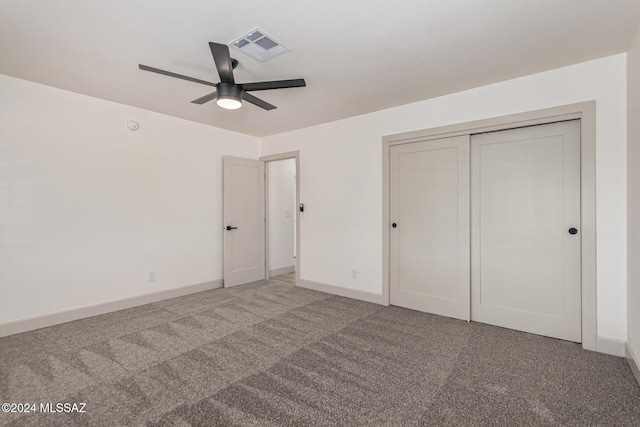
[(244, 221)]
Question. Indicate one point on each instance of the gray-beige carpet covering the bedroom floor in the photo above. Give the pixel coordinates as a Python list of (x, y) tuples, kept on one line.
[(271, 354)]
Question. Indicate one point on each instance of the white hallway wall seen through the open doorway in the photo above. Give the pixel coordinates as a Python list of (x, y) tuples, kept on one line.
[(281, 199)]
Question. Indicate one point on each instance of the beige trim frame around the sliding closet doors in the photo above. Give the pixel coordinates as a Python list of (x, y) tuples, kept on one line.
[(586, 112)]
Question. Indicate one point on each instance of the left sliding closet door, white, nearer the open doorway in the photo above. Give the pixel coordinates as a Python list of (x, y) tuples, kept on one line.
[(429, 265)]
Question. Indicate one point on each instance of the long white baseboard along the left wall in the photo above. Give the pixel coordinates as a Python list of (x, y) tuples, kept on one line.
[(29, 324)]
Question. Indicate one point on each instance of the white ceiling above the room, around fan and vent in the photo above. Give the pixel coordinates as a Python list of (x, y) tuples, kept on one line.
[(357, 56)]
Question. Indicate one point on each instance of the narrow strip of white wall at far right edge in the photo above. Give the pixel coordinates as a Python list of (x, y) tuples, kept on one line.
[(633, 193)]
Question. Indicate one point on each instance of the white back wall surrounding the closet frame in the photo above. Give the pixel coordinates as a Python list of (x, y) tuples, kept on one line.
[(341, 177)]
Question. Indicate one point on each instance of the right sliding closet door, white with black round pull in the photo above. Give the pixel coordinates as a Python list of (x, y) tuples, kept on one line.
[(525, 199)]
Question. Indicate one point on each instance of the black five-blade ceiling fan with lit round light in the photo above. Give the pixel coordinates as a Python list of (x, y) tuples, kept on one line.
[(228, 93)]
